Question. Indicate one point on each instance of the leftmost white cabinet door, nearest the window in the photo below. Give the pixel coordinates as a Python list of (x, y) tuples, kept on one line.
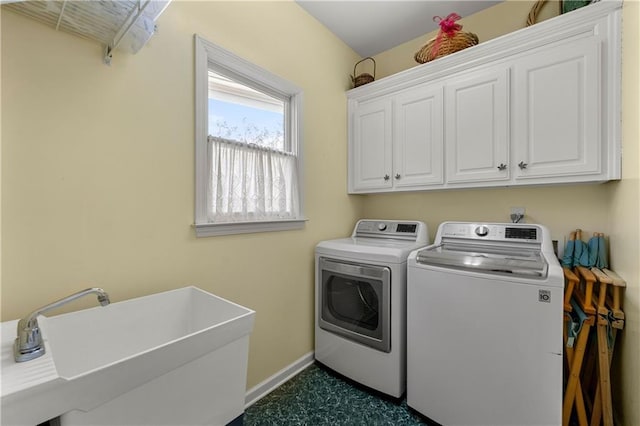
[(370, 156)]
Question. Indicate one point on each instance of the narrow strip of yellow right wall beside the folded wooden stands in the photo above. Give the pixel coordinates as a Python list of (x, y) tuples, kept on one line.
[(624, 215)]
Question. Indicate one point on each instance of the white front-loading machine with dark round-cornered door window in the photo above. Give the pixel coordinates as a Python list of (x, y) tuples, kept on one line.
[(360, 320)]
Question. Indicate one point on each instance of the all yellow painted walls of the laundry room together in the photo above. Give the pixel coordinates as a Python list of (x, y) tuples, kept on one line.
[(97, 172)]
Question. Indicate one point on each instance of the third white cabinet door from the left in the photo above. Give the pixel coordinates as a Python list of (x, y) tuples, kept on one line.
[(477, 126)]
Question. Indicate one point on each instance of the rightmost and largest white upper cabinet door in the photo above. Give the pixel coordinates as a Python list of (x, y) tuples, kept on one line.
[(558, 111)]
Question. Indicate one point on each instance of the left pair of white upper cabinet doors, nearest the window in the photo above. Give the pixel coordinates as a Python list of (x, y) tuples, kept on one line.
[(396, 142)]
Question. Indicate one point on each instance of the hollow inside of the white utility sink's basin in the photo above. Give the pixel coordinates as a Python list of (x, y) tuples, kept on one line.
[(95, 338)]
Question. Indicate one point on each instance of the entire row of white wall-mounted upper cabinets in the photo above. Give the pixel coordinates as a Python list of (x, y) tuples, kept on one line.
[(538, 106)]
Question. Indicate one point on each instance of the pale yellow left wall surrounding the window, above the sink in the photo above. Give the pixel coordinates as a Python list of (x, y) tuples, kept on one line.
[(98, 169)]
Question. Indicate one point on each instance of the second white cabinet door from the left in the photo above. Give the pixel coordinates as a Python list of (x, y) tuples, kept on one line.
[(418, 138)]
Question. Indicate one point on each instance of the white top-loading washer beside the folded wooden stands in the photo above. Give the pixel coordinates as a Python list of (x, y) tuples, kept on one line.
[(484, 326)]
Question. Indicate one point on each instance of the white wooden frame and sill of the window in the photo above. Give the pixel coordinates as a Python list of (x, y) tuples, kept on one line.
[(241, 70)]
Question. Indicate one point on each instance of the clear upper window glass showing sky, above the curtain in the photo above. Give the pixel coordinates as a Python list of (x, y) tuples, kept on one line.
[(240, 113)]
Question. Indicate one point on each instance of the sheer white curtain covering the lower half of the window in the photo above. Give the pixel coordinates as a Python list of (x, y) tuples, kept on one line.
[(251, 183)]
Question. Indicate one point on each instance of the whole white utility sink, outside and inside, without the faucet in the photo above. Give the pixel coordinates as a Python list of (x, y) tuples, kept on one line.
[(105, 359)]
